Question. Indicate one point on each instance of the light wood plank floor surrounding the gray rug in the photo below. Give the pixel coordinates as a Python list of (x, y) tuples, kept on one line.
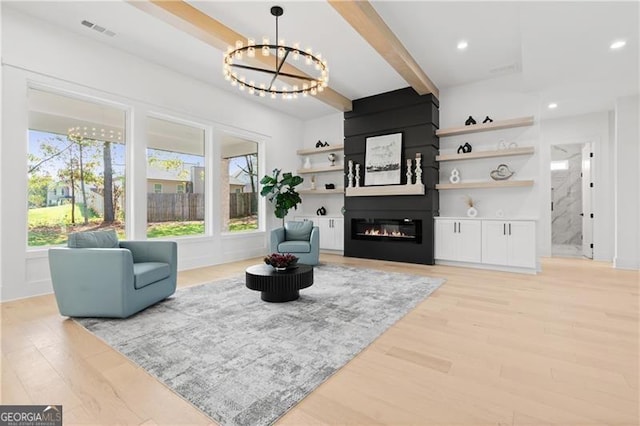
[(487, 348)]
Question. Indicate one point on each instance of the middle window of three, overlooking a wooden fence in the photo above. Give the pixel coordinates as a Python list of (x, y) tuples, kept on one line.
[(175, 164)]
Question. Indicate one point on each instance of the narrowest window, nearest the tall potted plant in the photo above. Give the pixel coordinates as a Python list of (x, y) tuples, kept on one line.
[(240, 184)]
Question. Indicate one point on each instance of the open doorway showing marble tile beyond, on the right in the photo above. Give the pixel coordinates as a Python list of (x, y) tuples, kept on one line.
[(571, 195)]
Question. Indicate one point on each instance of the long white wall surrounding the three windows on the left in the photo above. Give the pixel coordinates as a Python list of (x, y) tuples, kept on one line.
[(34, 52)]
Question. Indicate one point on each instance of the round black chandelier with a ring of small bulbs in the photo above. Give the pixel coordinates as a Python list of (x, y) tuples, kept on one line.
[(242, 68)]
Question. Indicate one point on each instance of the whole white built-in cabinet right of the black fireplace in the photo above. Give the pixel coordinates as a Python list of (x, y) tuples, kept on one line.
[(501, 243)]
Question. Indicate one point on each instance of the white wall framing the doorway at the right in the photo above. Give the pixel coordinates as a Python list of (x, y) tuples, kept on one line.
[(593, 128)]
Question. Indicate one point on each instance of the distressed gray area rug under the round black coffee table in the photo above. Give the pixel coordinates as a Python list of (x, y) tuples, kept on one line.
[(246, 362)]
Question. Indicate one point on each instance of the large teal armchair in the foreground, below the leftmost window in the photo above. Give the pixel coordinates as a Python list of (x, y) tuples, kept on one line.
[(99, 276)]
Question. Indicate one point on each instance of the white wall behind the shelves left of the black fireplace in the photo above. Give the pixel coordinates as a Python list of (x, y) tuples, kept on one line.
[(329, 129)]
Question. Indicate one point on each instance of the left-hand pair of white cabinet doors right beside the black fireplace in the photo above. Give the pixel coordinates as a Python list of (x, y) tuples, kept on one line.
[(458, 240)]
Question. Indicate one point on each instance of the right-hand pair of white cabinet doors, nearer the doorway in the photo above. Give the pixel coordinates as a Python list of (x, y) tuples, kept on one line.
[(510, 243)]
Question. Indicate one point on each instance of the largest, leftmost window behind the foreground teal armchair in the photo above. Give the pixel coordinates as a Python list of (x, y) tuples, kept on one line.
[(76, 167)]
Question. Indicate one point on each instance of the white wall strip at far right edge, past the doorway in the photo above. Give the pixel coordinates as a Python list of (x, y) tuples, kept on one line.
[(627, 183)]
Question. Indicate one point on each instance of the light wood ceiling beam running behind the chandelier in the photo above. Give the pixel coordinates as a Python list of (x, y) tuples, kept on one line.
[(203, 27)]
